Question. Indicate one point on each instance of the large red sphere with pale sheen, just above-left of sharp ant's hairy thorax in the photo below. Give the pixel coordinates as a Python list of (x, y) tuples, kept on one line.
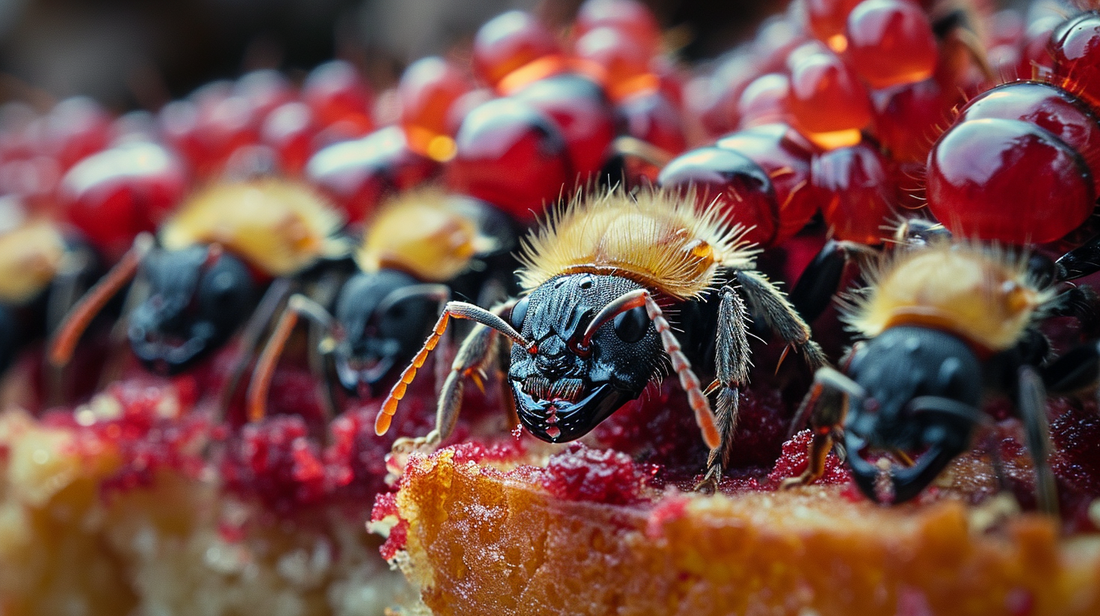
[(512, 156)]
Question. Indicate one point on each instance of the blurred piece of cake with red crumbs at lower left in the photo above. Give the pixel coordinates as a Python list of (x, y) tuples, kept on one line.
[(177, 546)]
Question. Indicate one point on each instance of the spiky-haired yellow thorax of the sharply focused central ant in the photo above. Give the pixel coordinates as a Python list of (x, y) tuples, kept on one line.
[(657, 239)]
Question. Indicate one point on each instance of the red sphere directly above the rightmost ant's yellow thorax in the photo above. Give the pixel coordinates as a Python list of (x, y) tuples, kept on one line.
[(856, 196)]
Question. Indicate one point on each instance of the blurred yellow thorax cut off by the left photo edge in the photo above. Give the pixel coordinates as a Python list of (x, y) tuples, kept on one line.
[(30, 258)]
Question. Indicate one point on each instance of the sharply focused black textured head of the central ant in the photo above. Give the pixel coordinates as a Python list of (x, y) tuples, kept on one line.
[(588, 362)]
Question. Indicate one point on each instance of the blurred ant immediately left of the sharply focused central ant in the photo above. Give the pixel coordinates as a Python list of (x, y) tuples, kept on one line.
[(417, 252)]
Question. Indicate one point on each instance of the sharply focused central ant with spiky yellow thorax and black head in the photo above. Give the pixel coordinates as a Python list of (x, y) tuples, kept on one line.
[(604, 284)]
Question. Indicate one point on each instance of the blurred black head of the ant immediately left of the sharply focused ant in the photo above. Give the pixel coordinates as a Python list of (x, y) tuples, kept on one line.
[(384, 317)]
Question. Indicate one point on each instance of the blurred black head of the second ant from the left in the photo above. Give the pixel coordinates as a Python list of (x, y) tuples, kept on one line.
[(197, 299)]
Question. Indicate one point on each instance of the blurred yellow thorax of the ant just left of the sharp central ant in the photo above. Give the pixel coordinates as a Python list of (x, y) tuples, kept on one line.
[(422, 235)]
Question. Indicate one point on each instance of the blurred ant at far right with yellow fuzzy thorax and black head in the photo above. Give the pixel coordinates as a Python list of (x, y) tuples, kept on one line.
[(947, 325)]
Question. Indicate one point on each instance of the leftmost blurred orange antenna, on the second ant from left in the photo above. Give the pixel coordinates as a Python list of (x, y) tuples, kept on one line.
[(64, 340)]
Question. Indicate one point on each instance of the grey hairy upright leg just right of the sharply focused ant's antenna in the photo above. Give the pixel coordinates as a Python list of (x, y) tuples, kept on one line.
[(732, 364)]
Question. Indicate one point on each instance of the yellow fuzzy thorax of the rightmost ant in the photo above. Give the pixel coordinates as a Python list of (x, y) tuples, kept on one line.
[(982, 295)]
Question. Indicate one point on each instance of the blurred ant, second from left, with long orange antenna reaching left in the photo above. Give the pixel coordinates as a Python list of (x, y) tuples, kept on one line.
[(204, 274)]
